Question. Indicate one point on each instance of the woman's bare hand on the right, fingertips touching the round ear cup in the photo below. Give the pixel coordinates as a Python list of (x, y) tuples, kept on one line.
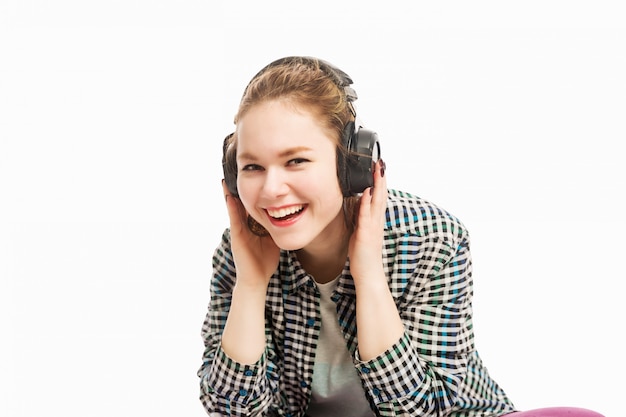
[(365, 247)]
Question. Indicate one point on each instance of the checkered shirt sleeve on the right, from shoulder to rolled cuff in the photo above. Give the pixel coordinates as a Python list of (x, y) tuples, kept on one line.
[(430, 278)]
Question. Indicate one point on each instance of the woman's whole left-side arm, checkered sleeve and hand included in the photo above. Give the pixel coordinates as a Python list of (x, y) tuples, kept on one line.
[(233, 376)]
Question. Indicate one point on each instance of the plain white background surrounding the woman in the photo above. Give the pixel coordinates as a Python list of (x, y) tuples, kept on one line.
[(511, 115)]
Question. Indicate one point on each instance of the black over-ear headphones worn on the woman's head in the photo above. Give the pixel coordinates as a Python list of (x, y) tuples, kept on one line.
[(355, 166)]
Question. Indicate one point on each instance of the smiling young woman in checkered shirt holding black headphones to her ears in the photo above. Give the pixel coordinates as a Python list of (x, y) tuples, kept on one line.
[(331, 298)]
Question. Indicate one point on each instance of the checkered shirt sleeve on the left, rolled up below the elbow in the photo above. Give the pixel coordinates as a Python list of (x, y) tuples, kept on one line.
[(226, 386)]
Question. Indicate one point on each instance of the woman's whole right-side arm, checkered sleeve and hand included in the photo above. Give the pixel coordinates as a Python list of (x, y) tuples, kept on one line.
[(413, 309)]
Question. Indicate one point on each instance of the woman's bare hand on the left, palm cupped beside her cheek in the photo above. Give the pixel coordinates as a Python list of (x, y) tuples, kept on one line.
[(256, 258)]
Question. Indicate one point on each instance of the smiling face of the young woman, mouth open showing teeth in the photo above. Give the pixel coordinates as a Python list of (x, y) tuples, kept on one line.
[(287, 175)]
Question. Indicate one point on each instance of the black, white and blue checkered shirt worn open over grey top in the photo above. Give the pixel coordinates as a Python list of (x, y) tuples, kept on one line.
[(433, 370)]
